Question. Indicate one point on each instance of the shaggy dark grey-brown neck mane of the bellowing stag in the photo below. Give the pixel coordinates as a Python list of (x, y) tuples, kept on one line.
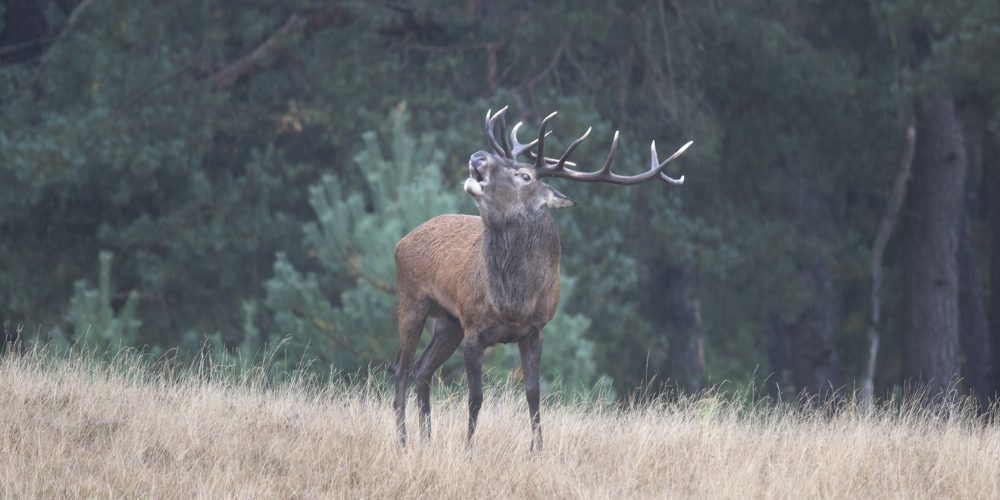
[(522, 260)]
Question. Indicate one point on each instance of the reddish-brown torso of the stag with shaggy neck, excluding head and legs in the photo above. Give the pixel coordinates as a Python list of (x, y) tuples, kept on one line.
[(441, 262)]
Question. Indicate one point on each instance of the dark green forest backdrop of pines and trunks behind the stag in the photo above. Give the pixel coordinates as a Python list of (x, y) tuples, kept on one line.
[(176, 174)]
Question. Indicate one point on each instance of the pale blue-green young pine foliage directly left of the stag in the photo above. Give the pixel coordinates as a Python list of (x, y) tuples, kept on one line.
[(352, 247)]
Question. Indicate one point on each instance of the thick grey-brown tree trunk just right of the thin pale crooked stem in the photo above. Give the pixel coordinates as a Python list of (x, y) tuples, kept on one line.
[(931, 271)]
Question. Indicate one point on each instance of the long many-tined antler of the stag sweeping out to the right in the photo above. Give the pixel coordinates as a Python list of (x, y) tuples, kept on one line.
[(548, 167)]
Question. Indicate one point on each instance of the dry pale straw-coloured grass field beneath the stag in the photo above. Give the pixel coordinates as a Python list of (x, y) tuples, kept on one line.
[(81, 429)]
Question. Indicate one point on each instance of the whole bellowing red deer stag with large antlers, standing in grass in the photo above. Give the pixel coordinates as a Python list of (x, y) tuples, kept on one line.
[(494, 278)]
